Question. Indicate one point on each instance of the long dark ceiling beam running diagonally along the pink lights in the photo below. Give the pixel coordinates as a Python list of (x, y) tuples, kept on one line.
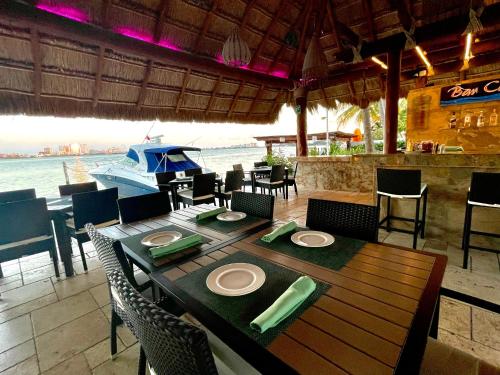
[(24, 15)]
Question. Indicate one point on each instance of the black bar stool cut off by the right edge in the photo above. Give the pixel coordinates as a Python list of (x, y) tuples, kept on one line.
[(483, 192)]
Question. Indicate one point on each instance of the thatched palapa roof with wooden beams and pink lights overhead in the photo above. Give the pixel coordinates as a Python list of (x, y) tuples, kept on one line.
[(160, 59)]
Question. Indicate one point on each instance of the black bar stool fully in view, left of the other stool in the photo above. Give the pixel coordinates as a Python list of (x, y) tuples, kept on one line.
[(402, 184)]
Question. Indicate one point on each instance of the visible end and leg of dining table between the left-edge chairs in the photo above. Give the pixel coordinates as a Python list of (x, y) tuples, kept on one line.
[(59, 211)]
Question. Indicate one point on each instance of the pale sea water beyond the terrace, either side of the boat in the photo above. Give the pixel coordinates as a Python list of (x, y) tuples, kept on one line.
[(46, 174)]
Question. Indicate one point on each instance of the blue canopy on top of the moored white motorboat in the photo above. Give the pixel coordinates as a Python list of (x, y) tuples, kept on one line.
[(163, 158)]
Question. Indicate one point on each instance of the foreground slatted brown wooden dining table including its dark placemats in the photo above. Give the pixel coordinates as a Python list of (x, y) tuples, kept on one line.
[(371, 313)]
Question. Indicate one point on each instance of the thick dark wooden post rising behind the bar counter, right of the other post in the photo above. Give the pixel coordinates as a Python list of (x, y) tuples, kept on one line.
[(391, 101)]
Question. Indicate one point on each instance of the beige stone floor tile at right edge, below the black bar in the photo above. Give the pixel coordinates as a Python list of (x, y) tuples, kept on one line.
[(486, 328)]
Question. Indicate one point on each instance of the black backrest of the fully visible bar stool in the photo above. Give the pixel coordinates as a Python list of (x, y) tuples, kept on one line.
[(399, 181)]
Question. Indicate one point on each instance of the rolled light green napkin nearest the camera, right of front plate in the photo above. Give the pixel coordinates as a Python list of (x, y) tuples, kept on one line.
[(285, 305)]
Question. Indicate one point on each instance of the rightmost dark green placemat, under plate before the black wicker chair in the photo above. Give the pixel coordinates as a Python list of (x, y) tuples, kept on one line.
[(334, 256)]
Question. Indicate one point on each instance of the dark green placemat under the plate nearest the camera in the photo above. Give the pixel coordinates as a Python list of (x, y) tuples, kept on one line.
[(240, 311)]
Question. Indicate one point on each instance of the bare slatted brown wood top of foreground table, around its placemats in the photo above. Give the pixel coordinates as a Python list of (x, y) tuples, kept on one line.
[(374, 319)]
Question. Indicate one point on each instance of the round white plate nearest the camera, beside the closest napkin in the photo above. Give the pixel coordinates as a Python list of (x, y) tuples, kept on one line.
[(236, 279)]
